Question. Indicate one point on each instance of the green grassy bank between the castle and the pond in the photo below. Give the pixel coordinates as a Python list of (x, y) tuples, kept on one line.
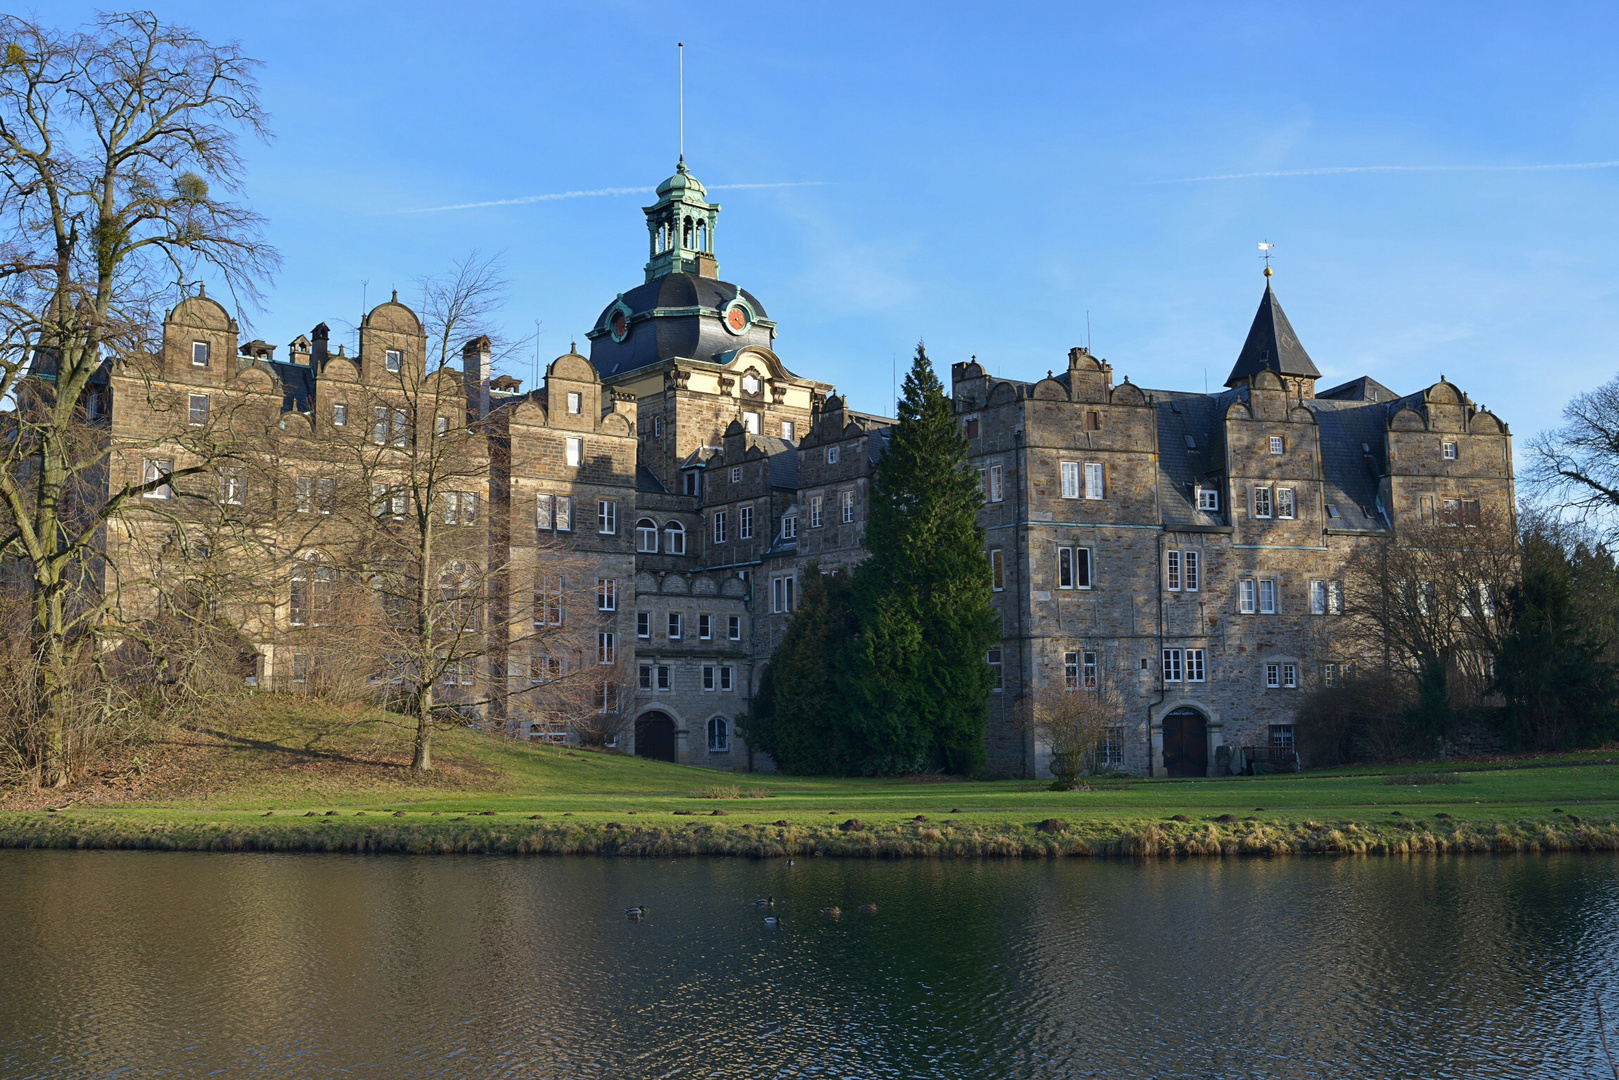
[(283, 778)]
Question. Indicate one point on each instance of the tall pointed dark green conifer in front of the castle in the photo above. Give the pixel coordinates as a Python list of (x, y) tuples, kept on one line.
[(922, 598)]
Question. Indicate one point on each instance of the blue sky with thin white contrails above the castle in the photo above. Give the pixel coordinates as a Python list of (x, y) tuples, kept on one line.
[(977, 176)]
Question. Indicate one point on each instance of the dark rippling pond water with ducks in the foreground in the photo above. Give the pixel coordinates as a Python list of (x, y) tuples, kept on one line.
[(124, 964)]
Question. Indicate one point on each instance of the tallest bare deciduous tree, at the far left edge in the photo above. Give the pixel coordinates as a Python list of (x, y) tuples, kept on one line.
[(119, 155)]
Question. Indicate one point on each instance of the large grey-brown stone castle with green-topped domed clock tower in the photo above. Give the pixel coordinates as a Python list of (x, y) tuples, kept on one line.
[(1184, 550)]
